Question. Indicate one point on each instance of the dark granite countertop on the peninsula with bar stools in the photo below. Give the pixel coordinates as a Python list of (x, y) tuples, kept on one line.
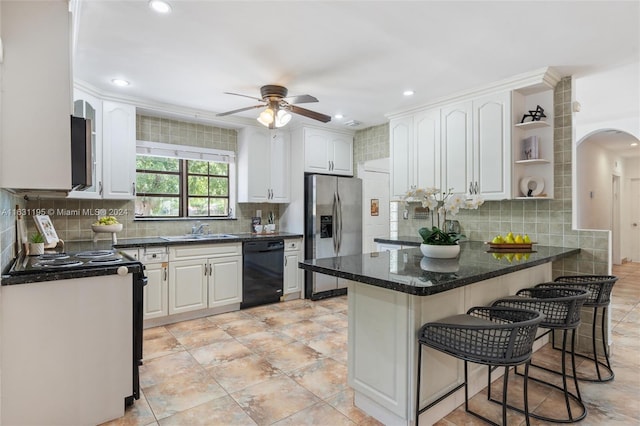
[(409, 272)]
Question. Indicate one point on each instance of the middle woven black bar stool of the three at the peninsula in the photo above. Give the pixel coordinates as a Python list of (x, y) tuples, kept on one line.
[(561, 308)]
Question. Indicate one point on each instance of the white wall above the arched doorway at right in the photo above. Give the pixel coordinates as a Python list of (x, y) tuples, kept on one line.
[(609, 99)]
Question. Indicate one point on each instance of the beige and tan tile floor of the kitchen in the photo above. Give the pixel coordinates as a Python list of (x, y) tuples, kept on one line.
[(285, 364)]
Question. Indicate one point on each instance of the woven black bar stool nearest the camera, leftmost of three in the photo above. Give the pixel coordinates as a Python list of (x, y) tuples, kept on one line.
[(493, 336)]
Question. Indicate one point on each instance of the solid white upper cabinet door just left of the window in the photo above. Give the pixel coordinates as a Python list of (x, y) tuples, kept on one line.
[(119, 151)]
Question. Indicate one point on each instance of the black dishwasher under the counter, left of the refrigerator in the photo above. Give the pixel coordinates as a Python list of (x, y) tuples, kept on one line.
[(262, 273)]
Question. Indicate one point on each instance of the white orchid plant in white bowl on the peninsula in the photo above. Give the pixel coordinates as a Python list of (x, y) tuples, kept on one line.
[(437, 243)]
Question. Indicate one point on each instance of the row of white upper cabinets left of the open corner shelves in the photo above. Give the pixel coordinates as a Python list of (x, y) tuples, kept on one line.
[(464, 147)]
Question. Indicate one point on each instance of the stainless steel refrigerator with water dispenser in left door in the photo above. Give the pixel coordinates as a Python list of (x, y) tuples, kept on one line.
[(333, 227)]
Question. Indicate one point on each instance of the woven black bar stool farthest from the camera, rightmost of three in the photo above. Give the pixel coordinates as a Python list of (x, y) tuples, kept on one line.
[(599, 288)]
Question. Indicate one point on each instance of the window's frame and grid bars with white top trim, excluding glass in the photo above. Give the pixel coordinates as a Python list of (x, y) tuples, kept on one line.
[(184, 154)]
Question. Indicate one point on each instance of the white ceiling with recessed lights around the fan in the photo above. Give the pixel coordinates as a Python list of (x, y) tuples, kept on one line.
[(356, 57)]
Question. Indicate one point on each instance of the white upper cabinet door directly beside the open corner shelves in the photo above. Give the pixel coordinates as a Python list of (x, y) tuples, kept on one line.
[(492, 145)]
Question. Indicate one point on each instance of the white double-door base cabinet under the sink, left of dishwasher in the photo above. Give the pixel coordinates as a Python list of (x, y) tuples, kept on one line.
[(204, 276)]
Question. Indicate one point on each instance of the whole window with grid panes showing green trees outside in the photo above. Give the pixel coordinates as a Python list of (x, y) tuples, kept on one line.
[(171, 186)]
